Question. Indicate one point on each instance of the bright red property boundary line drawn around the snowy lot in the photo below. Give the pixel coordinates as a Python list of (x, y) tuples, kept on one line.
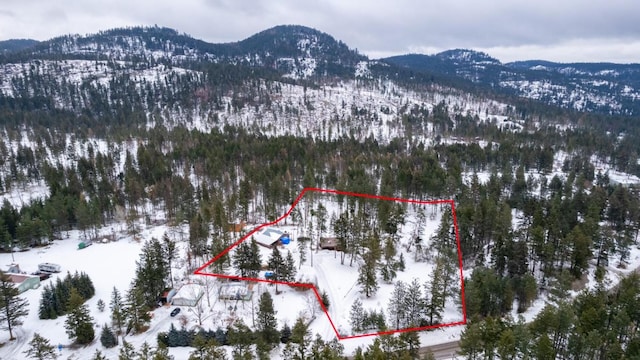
[(199, 271)]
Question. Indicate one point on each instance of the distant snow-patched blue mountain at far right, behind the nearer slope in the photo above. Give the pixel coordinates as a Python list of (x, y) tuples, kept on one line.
[(598, 87)]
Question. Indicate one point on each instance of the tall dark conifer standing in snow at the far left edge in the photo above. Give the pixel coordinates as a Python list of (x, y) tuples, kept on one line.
[(12, 307)]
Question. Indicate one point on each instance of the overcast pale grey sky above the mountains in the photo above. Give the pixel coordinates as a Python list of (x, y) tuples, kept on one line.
[(556, 30)]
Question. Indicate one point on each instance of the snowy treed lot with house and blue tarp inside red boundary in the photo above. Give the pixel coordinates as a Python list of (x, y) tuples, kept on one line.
[(382, 264)]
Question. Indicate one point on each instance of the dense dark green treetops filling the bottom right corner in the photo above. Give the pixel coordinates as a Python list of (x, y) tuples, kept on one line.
[(597, 324)]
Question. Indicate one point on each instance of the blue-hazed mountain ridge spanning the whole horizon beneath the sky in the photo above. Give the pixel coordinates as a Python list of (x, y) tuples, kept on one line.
[(301, 52)]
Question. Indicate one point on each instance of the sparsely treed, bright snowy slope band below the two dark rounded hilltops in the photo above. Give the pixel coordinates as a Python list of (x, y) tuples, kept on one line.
[(172, 95)]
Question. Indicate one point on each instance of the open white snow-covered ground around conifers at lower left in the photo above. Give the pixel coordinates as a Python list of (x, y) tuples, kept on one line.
[(108, 265)]
